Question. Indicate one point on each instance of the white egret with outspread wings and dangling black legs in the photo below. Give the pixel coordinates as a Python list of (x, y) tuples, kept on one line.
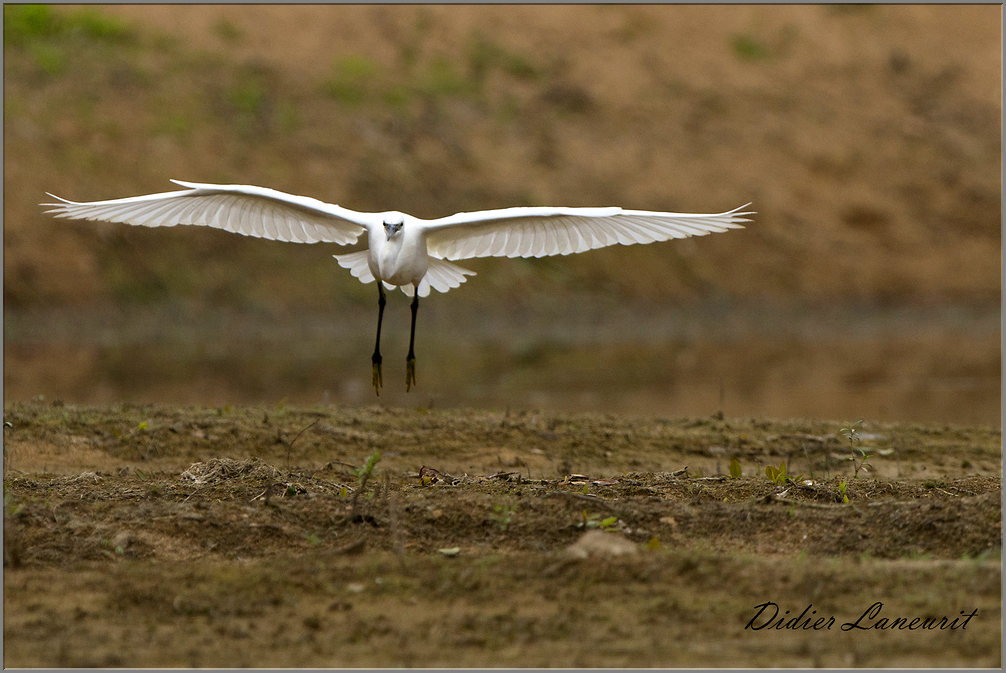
[(404, 252)]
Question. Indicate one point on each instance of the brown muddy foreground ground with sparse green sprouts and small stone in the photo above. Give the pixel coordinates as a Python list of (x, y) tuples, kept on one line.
[(154, 537)]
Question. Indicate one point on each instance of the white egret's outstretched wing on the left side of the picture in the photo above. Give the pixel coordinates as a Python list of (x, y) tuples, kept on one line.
[(253, 212)]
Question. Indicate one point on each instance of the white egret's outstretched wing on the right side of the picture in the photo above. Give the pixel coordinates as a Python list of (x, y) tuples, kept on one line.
[(541, 232)]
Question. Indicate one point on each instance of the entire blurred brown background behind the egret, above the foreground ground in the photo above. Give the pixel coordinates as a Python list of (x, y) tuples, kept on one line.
[(869, 139)]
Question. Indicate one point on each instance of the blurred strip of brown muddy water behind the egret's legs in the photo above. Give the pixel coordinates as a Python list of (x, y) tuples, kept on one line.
[(933, 365)]
